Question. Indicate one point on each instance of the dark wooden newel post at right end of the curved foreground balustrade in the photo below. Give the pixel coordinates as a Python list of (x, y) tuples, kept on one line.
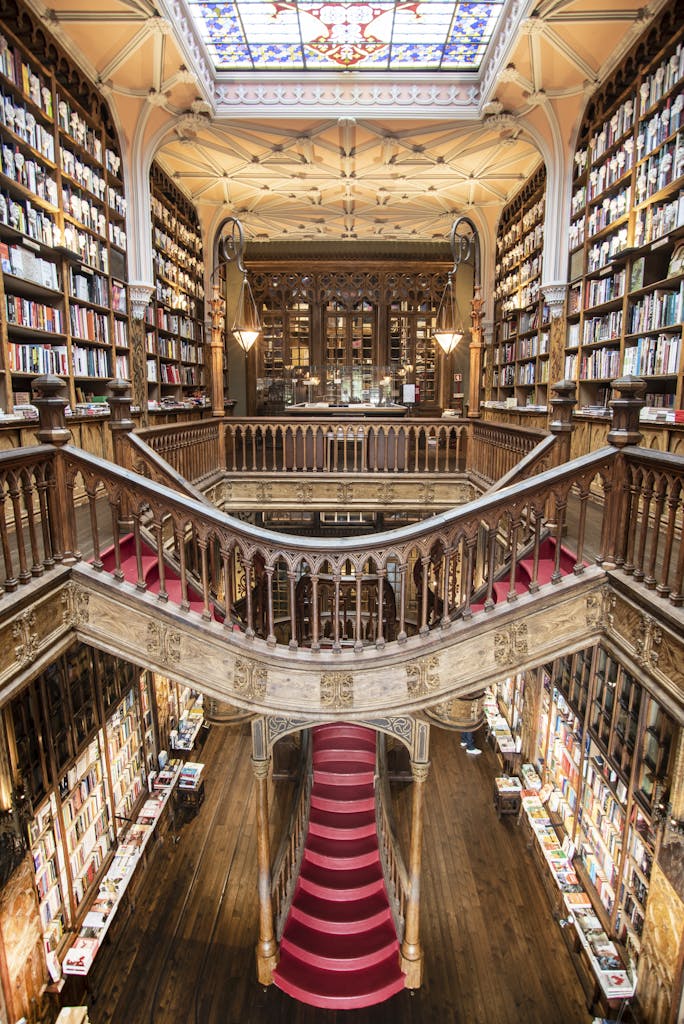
[(625, 432)]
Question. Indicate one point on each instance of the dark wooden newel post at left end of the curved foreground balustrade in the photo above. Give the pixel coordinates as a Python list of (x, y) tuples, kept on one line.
[(52, 404)]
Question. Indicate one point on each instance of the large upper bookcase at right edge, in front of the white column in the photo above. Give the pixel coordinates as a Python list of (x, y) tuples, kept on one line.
[(627, 240)]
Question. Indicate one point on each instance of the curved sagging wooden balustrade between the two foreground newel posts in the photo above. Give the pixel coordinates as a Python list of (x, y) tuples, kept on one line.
[(437, 569)]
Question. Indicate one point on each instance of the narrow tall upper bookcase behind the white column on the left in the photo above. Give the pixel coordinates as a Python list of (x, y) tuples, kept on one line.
[(175, 320)]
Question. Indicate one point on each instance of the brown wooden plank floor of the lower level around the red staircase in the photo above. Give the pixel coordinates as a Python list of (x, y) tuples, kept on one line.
[(494, 954)]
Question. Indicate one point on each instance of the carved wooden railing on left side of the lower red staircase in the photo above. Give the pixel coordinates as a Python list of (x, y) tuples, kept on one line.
[(288, 860)]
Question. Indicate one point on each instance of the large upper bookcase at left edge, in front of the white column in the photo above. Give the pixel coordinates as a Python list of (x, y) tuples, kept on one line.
[(63, 239)]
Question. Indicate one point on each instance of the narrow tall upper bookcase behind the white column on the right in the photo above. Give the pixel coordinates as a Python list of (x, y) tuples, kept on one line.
[(521, 355)]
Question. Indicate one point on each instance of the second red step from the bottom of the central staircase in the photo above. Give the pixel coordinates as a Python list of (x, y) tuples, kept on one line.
[(338, 952)]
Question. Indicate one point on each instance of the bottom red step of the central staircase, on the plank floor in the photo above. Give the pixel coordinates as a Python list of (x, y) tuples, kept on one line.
[(339, 990)]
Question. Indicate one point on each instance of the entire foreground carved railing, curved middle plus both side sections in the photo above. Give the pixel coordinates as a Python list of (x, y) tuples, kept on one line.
[(442, 569)]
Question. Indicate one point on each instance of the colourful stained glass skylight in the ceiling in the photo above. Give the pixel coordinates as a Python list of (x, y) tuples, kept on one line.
[(381, 35)]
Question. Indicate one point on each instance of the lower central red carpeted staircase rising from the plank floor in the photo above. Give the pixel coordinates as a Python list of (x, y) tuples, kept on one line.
[(339, 949)]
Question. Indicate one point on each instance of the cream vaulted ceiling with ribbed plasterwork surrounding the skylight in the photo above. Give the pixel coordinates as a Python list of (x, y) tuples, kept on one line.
[(350, 155)]
